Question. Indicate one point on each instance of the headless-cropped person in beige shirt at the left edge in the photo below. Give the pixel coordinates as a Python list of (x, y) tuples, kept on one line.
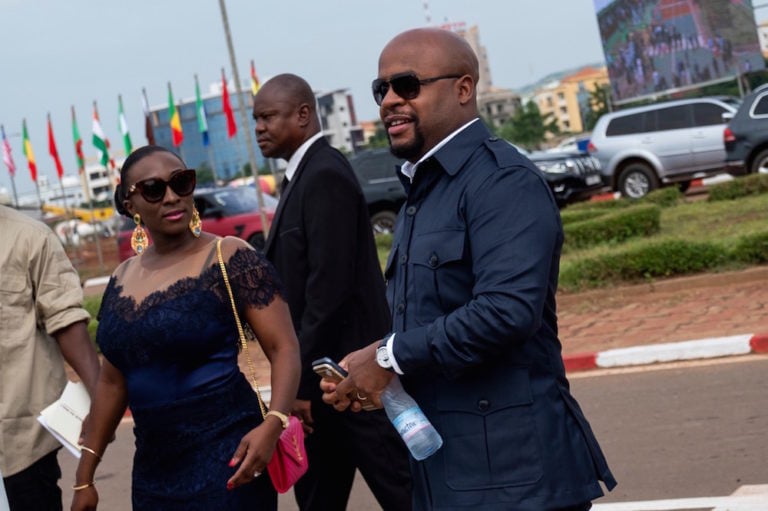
[(42, 323)]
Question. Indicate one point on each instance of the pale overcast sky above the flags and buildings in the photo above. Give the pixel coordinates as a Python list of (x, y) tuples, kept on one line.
[(57, 53)]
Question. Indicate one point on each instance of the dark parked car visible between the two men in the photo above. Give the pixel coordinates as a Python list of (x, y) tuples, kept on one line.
[(376, 169)]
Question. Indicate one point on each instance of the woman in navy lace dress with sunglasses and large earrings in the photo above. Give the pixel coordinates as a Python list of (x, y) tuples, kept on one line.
[(170, 344)]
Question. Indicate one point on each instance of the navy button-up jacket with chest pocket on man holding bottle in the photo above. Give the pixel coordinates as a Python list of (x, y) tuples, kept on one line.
[(471, 282)]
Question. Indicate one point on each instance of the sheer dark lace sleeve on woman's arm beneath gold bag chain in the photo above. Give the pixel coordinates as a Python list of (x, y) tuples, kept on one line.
[(253, 278)]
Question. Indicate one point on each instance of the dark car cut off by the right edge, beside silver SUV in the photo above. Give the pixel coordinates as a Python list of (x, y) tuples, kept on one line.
[(746, 136)]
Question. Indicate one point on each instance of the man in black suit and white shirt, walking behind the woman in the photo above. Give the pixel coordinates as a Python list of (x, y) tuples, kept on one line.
[(321, 243)]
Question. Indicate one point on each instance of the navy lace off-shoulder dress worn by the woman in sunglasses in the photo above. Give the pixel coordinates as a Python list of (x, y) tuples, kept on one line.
[(191, 405)]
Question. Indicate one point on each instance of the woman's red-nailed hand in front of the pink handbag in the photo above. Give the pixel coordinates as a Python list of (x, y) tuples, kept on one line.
[(253, 453)]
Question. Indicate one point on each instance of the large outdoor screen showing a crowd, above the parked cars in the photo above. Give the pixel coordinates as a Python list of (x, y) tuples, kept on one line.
[(655, 47)]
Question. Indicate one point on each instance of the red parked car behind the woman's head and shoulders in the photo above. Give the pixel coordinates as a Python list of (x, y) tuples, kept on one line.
[(225, 211)]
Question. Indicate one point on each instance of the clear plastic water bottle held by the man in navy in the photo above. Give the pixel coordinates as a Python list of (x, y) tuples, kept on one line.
[(417, 432)]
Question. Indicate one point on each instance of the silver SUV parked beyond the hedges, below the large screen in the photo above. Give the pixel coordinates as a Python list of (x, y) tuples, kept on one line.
[(643, 148)]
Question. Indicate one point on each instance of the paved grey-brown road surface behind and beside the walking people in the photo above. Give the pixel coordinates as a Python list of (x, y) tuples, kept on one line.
[(683, 430)]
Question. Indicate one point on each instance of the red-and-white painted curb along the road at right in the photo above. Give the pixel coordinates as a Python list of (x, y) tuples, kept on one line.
[(668, 352)]
